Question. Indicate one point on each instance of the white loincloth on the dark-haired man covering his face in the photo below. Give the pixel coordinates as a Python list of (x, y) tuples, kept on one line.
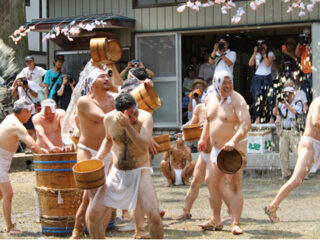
[(122, 188)]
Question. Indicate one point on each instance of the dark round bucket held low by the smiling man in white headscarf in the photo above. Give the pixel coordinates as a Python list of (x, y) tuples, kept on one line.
[(229, 161)]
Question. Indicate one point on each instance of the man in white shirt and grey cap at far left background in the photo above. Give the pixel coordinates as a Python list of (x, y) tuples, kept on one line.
[(32, 72)]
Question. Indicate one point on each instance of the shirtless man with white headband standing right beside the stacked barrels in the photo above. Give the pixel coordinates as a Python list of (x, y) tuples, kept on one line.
[(91, 109)]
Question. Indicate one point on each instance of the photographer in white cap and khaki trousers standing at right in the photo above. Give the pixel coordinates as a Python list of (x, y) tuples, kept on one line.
[(286, 109)]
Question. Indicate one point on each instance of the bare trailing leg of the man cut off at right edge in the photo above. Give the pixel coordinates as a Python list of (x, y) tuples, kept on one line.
[(301, 169)]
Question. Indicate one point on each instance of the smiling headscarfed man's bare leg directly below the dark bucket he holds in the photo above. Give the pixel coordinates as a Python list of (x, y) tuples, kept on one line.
[(236, 198)]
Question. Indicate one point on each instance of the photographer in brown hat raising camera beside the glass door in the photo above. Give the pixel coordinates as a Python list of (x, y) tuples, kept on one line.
[(196, 96)]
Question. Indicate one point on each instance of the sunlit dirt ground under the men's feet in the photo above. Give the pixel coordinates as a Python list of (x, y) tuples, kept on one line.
[(300, 213)]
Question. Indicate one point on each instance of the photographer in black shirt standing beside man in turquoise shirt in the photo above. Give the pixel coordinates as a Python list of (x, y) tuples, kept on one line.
[(64, 91)]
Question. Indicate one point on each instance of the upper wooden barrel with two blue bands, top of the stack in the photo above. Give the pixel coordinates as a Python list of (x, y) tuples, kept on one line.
[(55, 170)]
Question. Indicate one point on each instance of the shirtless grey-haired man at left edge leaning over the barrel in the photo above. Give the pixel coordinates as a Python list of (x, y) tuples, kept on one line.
[(11, 131)]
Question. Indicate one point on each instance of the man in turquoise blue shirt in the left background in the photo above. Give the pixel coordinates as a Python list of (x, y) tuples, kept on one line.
[(53, 77)]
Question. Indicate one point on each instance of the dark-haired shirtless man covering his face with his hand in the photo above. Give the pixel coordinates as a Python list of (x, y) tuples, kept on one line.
[(129, 183)]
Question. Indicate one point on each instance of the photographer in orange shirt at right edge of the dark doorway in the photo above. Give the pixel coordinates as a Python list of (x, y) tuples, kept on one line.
[(304, 51)]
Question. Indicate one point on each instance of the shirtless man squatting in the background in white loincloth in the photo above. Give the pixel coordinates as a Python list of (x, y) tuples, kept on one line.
[(180, 166)]
